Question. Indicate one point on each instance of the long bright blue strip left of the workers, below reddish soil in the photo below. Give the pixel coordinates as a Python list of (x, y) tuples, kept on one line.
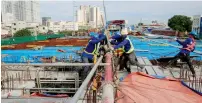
[(34, 56)]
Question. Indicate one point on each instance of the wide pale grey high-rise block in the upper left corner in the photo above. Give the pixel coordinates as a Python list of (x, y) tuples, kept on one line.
[(28, 11)]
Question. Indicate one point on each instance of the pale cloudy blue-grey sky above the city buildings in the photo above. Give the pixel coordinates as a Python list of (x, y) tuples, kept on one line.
[(132, 11)]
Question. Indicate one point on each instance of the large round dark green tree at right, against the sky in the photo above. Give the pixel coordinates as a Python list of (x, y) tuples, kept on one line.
[(180, 23)]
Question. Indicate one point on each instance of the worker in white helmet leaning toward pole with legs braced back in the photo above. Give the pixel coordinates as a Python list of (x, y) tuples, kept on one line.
[(129, 54)]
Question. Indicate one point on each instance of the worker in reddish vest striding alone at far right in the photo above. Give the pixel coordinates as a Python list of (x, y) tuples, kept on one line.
[(187, 46)]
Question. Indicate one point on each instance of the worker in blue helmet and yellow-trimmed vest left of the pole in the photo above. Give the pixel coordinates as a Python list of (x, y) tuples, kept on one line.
[(89, 52)]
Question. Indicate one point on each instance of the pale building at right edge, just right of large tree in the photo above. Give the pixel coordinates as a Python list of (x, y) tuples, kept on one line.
[(197, 24)]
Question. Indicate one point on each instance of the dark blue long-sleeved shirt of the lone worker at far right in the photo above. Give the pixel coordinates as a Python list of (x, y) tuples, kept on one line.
[(184, 44)]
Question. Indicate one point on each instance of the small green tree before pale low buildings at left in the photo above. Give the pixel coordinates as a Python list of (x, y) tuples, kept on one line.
[(23, 32)]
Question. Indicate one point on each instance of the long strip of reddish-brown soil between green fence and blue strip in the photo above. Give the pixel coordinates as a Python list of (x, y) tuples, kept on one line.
[(50, 42)]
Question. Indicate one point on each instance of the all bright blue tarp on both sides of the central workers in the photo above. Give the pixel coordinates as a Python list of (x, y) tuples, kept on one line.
[(155, 52)]
